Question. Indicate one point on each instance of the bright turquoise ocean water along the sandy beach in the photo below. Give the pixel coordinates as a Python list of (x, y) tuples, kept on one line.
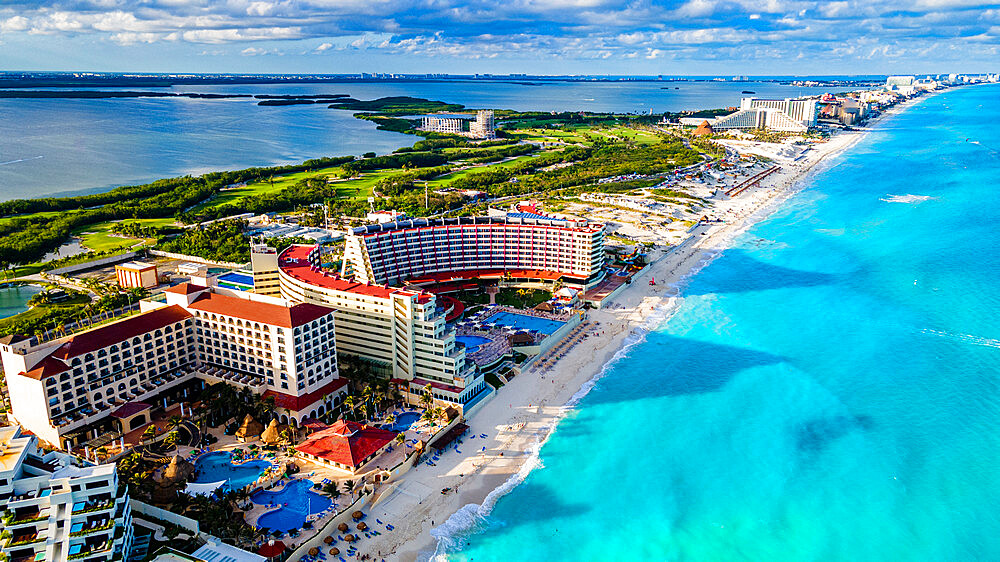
[(827, 390)]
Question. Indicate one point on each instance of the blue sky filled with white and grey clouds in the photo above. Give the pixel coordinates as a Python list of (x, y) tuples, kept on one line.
[(761, 37)]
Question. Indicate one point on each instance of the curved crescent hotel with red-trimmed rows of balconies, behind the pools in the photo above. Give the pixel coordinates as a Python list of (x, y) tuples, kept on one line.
[(528, 247)]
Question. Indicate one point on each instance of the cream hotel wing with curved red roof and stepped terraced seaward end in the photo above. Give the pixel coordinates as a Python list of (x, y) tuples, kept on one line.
[(401, 333)]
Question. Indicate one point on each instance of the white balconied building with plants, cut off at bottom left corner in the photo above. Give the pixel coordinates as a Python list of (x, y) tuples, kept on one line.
[(54, 509)]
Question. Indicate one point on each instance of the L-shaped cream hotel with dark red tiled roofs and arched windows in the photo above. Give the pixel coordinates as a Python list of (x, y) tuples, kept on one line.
[(104, 382)]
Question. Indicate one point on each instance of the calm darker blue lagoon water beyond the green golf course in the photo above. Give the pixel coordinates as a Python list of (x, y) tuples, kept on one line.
[(66, 146)]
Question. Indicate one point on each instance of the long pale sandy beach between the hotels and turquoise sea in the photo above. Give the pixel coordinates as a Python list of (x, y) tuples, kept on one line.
[(428, 523)]
